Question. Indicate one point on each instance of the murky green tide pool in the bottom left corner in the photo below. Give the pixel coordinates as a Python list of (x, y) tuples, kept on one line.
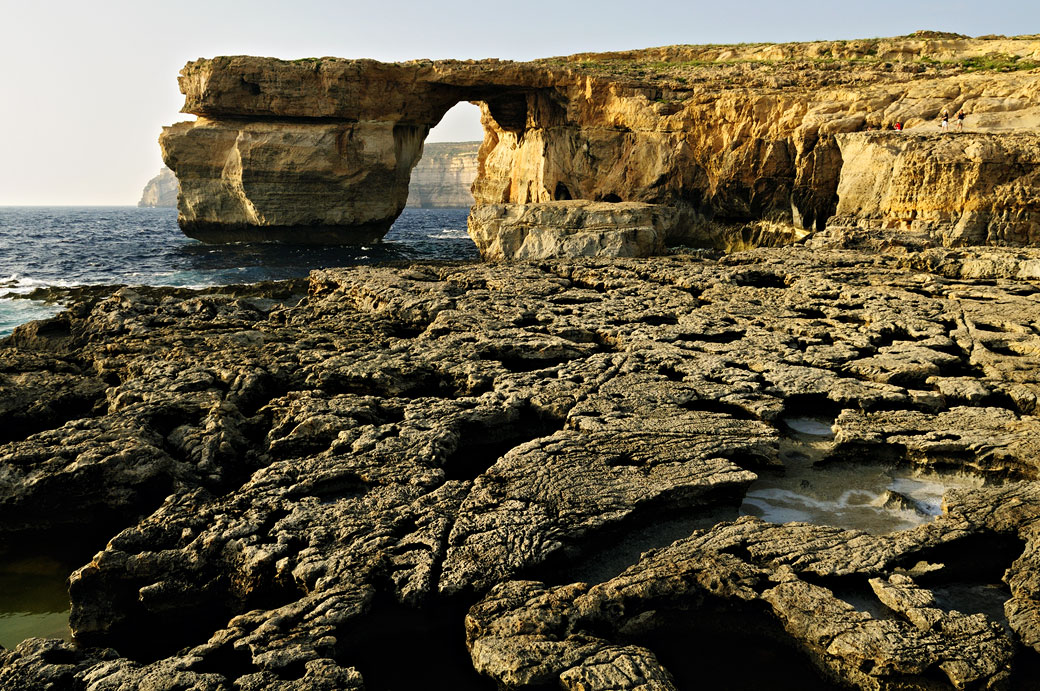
[(34, 600)]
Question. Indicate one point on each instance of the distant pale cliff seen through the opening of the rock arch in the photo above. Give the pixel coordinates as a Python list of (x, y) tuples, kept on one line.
[(445, 175)]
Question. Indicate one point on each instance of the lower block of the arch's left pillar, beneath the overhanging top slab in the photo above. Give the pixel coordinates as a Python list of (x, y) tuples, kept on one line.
[(298, 182)]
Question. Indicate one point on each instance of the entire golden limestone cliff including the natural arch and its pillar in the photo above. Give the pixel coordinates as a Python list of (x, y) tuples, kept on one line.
[(322, 150)]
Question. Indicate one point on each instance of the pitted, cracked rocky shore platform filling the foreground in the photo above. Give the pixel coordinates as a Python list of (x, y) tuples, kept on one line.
[(401, 477)]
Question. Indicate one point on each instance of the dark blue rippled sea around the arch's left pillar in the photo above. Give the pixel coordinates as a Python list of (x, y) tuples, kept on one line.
[(68, 246)]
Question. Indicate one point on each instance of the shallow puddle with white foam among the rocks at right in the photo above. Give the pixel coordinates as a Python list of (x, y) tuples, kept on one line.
[(874, 499)]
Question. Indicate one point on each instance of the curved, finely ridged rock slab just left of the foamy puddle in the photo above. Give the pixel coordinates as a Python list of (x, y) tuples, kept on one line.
[(538, 501)]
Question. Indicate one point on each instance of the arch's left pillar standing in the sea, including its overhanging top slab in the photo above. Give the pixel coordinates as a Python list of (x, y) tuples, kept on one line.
[(308, 151)]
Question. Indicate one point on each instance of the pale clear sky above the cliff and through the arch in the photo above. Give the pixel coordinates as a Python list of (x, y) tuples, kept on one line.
[(87, 87)]
